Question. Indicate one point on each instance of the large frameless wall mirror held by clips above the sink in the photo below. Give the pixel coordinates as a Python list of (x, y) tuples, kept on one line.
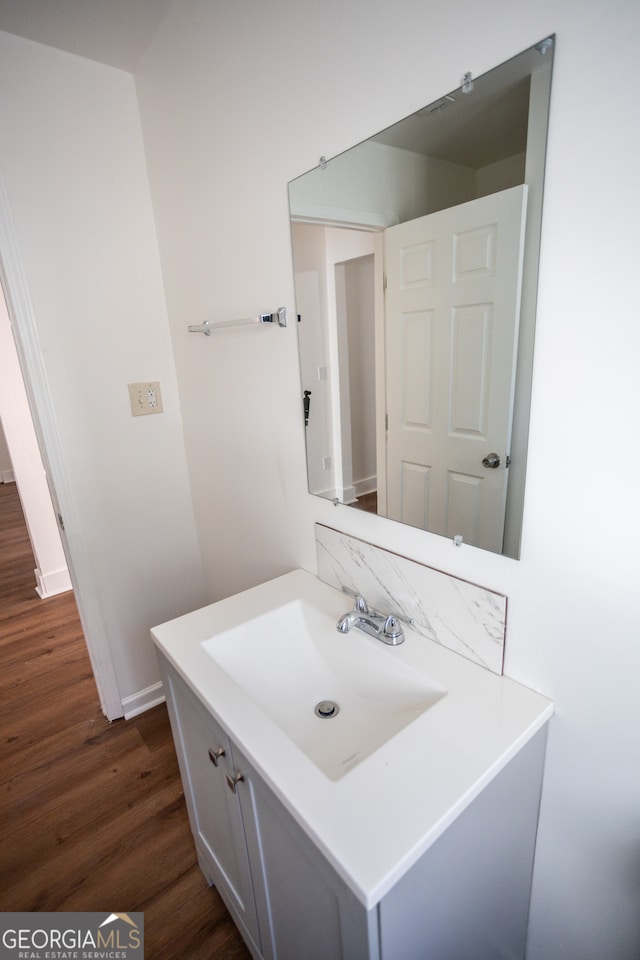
[(416, 261)]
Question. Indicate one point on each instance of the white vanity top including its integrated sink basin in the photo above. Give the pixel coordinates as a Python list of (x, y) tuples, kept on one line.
[(262, 659)]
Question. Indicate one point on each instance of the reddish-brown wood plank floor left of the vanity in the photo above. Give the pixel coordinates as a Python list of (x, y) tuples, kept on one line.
[(92, 814)]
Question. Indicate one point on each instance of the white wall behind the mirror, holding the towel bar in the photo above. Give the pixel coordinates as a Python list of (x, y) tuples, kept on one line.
[(237, 99)]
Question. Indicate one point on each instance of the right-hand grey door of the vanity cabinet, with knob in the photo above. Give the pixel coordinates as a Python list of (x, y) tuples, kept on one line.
[(304, 908)]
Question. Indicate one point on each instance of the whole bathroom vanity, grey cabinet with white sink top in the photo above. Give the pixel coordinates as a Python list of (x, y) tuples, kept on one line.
[(402, 826)]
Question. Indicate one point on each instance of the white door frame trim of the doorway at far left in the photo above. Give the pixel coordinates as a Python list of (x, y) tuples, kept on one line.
[(25, 332)]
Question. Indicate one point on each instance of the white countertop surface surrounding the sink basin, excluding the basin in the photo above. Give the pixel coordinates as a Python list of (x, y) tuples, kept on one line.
[(375, 822)]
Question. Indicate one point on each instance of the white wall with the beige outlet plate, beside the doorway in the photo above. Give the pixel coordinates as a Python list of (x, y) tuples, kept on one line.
[(73, 166)]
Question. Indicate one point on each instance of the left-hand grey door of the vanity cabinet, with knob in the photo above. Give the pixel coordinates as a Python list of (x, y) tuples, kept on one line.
[(214, 811)]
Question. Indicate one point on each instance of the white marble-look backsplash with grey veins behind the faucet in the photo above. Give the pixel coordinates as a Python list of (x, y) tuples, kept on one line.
[(466, 618)]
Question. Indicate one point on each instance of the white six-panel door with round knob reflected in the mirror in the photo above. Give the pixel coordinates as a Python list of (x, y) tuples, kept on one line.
[(451, 329)]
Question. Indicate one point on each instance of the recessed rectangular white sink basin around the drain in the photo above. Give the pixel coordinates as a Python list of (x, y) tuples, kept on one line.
[(292, 658)]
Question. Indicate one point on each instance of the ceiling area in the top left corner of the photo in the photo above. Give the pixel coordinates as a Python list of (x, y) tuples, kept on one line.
[(115, 32)]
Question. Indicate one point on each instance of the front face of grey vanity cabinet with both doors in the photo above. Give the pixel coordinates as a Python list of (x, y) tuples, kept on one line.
[(286, 900)]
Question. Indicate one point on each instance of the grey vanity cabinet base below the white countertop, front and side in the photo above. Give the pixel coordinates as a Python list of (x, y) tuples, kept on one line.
[(465, 897)]
